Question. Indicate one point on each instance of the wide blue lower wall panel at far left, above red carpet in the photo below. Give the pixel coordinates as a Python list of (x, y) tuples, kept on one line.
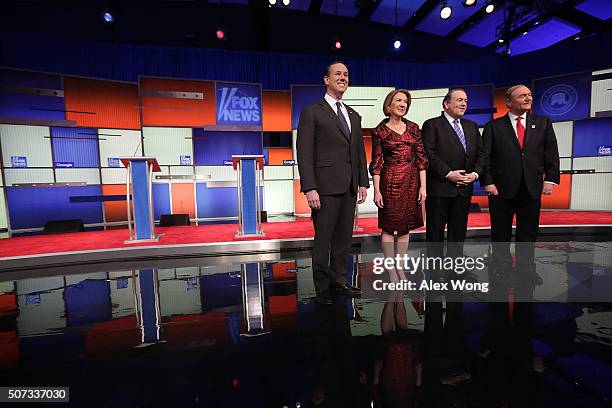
[(31, 207)]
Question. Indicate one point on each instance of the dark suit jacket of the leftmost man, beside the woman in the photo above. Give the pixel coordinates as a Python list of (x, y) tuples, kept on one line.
[(327, 160)]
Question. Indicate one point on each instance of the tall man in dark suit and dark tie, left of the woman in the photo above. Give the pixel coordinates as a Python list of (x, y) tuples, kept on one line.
[(332, 165)]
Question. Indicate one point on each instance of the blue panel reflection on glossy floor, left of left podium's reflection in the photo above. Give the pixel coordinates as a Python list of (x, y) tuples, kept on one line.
[(88, 302)]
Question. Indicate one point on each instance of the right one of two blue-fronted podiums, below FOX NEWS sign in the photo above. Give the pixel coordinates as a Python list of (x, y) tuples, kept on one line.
[(249, 172)]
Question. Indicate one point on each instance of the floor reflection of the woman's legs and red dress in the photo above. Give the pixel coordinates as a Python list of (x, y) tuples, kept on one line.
[(397, 374)]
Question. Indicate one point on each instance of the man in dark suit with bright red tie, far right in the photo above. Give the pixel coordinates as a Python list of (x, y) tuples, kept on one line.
[(522, 163)]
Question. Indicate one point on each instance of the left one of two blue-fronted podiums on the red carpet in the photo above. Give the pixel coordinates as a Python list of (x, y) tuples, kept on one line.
[(139, 175)]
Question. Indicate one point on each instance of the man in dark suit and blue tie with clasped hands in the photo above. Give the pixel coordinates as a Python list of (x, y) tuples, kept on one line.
[(456, 159)]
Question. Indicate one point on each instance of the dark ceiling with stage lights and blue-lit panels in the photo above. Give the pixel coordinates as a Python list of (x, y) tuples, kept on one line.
[(366, 28)]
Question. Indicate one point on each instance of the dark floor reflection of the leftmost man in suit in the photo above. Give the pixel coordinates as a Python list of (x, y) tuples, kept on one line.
[(335, 378)]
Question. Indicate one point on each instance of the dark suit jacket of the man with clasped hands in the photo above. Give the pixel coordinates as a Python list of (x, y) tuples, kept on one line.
[(445, 153)]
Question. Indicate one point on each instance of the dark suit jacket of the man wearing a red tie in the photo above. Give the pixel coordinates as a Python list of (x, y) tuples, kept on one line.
[(506, 162)]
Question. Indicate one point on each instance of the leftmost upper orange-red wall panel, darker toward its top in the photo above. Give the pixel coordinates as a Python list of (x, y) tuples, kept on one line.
[(101, 104)]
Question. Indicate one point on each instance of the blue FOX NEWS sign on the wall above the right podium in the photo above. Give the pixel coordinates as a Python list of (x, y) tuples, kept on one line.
[(238, 105)]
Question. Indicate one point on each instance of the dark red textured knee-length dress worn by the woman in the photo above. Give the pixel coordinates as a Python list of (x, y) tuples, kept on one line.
[(398, 160)]
